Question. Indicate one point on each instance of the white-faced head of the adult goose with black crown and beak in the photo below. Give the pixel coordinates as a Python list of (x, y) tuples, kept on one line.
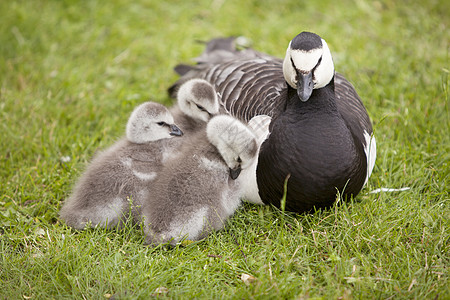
[(308, 64)]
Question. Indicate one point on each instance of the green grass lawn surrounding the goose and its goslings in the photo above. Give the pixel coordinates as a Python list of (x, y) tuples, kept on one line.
[(71, 73)]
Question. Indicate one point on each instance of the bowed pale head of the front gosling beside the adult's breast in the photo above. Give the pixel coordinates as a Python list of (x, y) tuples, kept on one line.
[(235, 142)]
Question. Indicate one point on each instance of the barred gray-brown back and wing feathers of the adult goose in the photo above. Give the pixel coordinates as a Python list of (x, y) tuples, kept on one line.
[(251, 83)]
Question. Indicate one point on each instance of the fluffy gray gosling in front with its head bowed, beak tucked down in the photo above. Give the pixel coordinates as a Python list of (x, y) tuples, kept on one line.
[(199, 190)]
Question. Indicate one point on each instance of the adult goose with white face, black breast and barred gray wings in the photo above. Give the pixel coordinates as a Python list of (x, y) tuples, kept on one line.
[(320, 141)]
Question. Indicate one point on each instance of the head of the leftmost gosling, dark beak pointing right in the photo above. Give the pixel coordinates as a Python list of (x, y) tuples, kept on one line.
[(150, 122)]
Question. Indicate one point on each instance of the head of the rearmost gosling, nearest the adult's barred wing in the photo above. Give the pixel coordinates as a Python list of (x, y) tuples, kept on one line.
[(197, 99)]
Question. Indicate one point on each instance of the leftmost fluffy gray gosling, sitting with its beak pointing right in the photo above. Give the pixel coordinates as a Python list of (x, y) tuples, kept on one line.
[(118, 176)]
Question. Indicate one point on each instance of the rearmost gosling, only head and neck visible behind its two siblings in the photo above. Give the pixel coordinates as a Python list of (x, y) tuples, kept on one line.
[(197, 103)]
